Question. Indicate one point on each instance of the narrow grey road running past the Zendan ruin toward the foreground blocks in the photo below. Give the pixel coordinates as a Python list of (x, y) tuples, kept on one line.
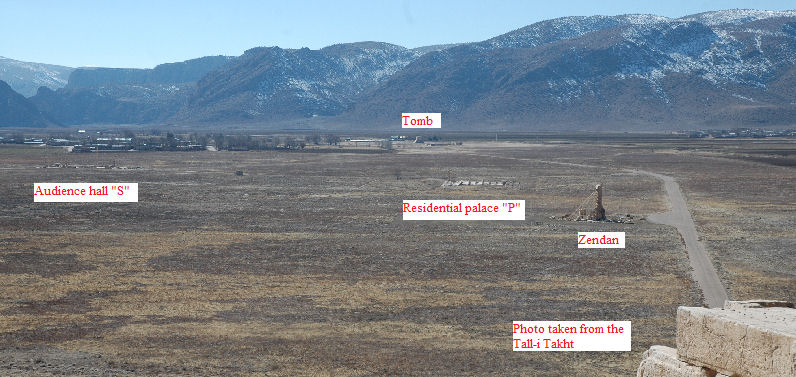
[(679, 217)]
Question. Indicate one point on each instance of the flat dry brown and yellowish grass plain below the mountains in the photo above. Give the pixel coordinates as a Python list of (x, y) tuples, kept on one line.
[(303, 266)]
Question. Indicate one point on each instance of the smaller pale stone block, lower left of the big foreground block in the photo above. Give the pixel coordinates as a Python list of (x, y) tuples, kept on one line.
[(661, 361)]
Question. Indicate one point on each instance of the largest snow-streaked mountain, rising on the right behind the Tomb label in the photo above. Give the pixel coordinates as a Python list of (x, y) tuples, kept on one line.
[(626, 72)]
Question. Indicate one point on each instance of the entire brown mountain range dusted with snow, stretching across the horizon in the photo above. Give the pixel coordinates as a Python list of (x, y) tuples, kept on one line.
[(628, 72)]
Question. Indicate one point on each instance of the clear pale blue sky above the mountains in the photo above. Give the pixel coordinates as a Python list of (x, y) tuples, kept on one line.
[(144, 33)]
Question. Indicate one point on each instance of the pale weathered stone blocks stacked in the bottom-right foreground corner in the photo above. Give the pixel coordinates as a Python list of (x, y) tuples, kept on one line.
[(745, 338)]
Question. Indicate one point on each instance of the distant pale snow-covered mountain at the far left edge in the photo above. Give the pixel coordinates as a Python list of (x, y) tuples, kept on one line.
[(25, 77)]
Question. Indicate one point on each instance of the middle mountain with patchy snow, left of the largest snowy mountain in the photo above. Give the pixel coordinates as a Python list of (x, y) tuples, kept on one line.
[(275, 83)]
